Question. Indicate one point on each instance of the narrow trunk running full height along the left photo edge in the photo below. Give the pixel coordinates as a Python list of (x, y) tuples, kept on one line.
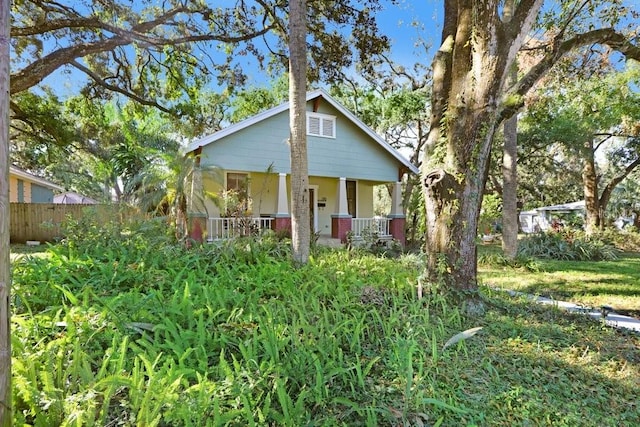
[(5, 264)]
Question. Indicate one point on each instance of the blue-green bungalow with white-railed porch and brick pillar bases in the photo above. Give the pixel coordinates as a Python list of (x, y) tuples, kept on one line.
[(346, 160)]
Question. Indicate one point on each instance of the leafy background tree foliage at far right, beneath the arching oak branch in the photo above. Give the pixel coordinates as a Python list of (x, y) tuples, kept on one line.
[(567, 124)]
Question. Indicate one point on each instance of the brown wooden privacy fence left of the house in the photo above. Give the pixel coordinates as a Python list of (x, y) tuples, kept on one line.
[(42, 221)]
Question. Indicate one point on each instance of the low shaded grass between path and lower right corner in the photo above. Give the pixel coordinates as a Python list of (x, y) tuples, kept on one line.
[(545, 366)]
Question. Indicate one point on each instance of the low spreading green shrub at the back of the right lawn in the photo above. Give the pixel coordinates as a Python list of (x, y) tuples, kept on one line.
[(567, 245)]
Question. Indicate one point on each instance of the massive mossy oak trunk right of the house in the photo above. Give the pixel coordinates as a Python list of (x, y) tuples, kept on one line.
[(469, 74)]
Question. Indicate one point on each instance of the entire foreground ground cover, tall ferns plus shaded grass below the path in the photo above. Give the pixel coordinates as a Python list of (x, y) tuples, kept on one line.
[(125, 329)]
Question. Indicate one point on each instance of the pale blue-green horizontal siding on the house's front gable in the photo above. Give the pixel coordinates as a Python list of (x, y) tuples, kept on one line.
[(352, 154)]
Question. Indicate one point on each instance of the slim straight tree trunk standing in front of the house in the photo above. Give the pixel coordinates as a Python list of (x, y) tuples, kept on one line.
[(300, 216)]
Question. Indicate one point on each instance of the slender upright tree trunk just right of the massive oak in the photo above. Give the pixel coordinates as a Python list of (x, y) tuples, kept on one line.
[(509, 167)]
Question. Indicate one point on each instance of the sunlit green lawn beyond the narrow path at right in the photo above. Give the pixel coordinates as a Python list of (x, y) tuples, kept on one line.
[(593, 283)]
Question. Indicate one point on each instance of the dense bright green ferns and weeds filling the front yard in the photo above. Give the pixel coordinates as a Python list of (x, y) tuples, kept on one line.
[(134, 329)]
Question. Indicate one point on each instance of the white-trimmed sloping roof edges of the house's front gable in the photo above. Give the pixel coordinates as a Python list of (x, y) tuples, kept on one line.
[(284, 107)]
